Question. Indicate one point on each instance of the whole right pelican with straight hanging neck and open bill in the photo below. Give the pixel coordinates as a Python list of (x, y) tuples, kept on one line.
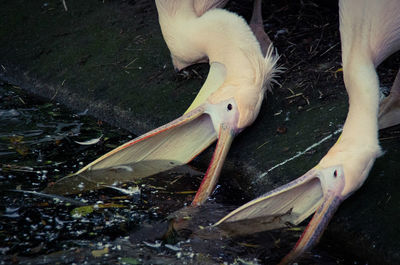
[(370, 32)]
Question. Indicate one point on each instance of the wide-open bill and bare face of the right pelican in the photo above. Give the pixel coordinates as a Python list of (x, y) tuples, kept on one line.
[(319, 191)]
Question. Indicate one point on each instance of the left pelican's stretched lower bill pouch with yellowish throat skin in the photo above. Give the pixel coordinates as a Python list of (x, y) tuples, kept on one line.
[(173, 144)]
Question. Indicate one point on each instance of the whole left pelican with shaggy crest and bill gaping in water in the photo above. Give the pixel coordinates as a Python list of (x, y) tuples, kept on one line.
[(229, 100)]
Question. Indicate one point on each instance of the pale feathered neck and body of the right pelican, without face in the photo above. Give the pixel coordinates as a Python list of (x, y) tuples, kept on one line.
[(370, 32)]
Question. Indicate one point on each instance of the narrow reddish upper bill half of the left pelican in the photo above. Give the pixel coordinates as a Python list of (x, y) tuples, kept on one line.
[(225, 138)]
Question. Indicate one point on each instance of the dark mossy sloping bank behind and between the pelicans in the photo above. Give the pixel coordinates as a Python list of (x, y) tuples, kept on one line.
[(103, 56)]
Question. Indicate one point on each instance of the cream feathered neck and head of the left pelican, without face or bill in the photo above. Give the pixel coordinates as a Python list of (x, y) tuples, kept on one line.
[(223, 37)]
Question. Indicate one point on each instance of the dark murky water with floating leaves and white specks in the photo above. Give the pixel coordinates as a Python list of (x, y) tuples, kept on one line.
[(139, 222)]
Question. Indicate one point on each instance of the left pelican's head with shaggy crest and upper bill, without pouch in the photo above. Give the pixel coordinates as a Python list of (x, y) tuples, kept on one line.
[(232, 107)]
